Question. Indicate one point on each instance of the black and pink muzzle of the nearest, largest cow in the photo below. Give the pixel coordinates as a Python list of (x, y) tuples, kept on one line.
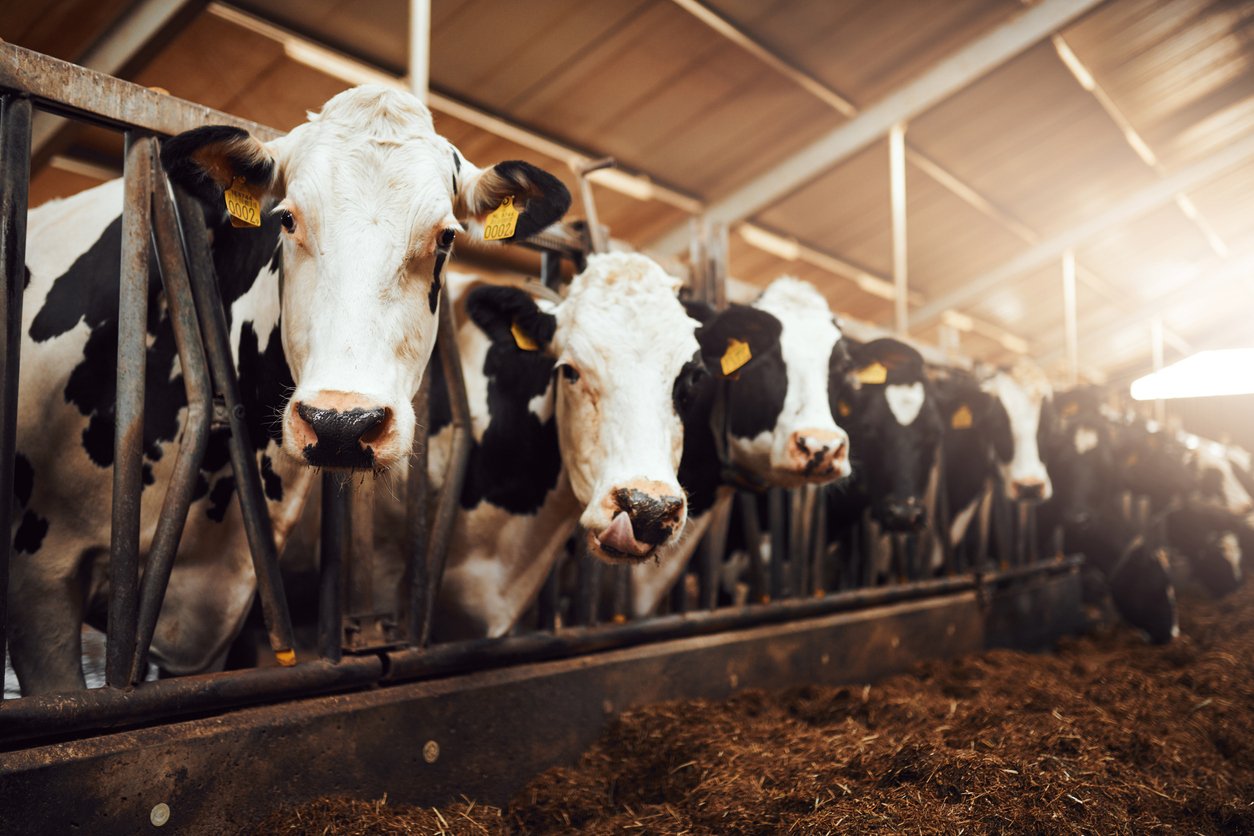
[(342, 431)]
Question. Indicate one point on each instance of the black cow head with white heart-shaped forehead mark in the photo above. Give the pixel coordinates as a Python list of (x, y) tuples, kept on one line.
[(895, 426)]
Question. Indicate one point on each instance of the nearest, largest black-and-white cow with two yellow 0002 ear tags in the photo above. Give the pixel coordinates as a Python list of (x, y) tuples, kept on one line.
[(332, 305)]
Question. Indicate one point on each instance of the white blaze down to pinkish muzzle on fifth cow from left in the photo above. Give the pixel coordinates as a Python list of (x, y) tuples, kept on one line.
[(1024, 393)]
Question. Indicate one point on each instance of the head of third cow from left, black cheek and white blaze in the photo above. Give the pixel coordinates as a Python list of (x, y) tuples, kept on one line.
[(773, 360)]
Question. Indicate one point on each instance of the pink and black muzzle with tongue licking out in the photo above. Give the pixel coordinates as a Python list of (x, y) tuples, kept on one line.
[(643, 518)]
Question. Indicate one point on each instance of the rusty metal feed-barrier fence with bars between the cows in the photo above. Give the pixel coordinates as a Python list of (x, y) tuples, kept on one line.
[(804, 575)]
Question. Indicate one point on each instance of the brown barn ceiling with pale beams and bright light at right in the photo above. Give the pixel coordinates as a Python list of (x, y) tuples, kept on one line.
[(1110, 164)]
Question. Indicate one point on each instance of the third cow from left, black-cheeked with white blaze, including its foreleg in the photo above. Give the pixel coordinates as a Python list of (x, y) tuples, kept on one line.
[(763, 418)]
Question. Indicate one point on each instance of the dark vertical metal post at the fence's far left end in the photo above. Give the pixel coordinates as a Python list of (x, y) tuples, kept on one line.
[(14, 192)]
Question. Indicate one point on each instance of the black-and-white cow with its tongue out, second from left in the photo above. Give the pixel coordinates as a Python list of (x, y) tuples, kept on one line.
[(577, 410)]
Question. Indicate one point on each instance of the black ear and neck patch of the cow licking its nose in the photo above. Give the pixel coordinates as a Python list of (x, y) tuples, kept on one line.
[(517, 462)]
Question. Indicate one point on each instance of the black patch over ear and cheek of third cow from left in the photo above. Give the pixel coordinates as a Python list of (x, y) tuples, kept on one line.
[(756, 393)]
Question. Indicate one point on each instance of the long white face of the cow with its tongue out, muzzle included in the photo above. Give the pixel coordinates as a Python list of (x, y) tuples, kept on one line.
[(623, 339)]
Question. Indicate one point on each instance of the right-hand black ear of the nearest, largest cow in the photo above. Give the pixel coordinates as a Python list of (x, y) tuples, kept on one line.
[(539, 197)]
